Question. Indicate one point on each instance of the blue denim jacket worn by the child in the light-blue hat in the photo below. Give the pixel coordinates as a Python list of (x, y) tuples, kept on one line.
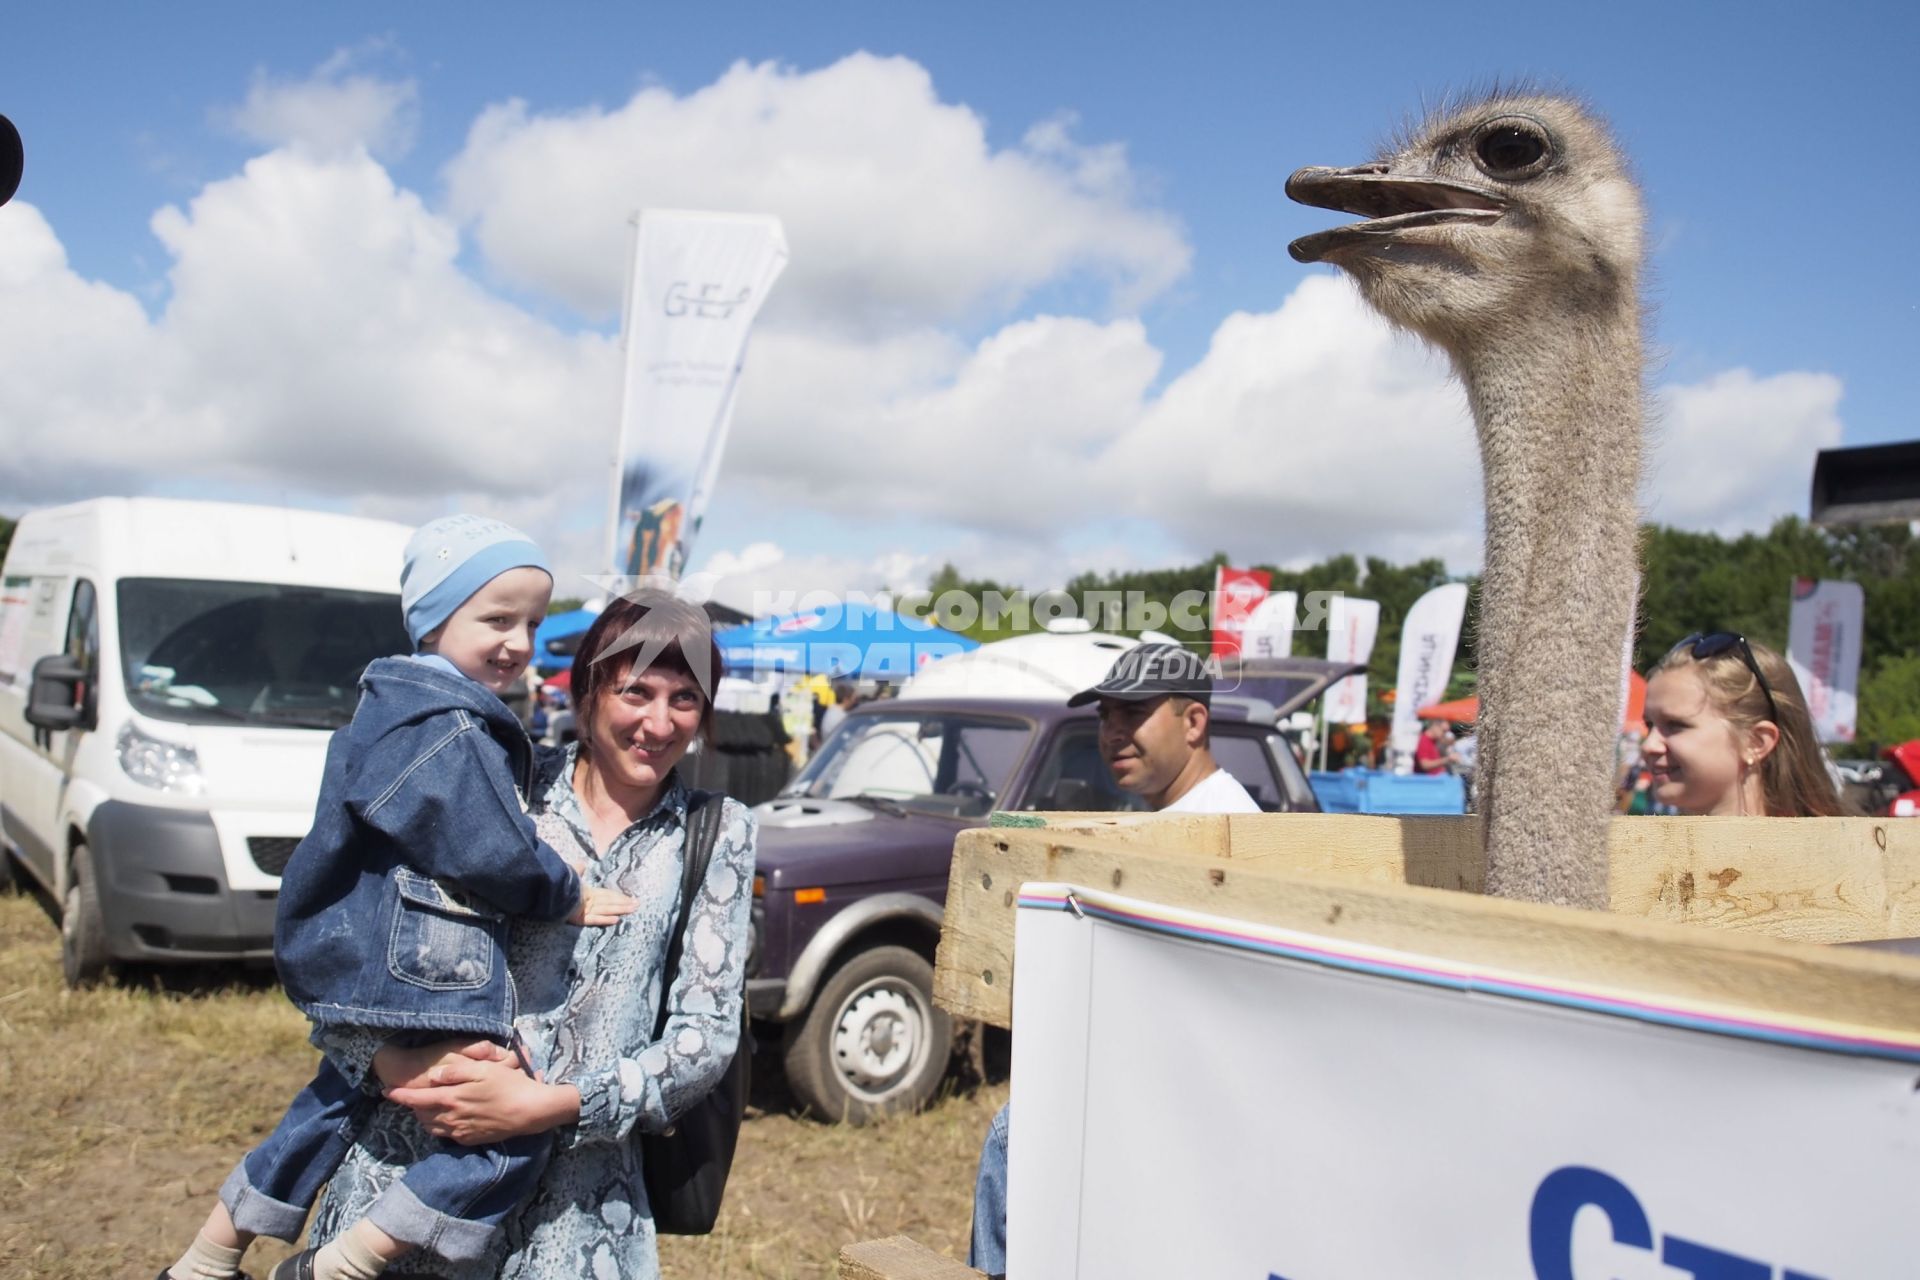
[(395, 907)]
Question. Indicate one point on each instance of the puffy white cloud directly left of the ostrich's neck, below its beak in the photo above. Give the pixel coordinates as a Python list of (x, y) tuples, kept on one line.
[(1305, 433)]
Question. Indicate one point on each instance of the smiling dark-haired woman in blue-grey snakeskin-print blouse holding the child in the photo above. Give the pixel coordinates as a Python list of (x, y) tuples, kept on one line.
[(588, 997)]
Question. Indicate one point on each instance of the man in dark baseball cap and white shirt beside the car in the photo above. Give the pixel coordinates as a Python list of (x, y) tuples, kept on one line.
[(1155, 717)]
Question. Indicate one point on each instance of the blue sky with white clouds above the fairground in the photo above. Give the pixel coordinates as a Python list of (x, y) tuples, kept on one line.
[(1773, 143)]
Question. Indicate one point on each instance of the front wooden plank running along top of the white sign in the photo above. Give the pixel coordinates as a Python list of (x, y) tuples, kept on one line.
[(1593, 949)]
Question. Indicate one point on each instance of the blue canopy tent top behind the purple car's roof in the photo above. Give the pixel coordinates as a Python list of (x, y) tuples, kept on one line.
[(857, 642)]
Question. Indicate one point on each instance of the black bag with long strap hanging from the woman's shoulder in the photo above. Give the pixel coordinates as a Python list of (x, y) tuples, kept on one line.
[(686, 1166)]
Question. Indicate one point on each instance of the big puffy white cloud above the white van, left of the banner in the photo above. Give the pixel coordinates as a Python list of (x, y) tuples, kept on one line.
[(318, 335)]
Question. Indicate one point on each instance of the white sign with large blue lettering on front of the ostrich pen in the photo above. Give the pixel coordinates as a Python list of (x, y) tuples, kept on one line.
[(1201, 1097)]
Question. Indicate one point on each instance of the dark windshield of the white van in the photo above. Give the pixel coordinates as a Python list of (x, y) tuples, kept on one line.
[(252, 652)]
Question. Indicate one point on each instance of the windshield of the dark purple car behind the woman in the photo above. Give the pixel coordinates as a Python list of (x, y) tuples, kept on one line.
[(926, 761)]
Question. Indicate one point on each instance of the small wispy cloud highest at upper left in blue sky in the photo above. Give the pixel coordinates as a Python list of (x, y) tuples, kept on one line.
[(333, 110)]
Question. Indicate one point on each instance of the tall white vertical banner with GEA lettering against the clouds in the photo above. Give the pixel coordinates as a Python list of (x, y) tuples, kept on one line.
[(700, 281)]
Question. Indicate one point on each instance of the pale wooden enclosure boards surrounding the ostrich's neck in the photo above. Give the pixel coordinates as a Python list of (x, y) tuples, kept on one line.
[(1708, 913)]
